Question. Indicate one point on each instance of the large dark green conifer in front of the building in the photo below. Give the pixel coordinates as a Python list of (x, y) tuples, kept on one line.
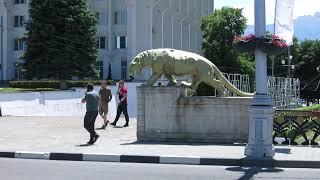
[(60, 39)]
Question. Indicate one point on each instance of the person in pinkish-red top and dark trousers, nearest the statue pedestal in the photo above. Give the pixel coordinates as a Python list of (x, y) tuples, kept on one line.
[(122, 92)]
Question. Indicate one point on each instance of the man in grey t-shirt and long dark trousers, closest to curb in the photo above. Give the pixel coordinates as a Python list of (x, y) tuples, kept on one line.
[(92, 100)]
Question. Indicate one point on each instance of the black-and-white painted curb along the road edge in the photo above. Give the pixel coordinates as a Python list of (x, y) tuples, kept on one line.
[(244, 162)]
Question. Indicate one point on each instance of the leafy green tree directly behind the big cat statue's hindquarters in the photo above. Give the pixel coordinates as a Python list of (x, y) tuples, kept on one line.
[(219, 29)]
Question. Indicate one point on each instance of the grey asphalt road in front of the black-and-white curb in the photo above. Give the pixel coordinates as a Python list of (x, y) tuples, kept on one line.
[(26, 169)]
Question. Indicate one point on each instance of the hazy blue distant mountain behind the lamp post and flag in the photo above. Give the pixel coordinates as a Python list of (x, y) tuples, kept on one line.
[(305, 27)]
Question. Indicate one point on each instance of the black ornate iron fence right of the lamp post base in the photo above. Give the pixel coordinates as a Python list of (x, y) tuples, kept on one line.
[(297, 127)]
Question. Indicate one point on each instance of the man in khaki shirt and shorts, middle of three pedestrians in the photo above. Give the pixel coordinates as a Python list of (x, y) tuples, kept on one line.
[(105, 98)]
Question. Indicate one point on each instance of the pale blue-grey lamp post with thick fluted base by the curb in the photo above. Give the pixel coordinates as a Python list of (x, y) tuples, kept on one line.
[(261, 111)]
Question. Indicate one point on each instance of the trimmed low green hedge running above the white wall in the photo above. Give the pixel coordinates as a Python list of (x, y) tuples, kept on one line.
[(53, 84)]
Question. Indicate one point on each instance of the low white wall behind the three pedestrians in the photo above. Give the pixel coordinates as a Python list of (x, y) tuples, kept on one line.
[(60, 103)]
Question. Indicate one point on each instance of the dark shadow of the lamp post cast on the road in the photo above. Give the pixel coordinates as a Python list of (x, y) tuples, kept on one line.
[(249, 172)]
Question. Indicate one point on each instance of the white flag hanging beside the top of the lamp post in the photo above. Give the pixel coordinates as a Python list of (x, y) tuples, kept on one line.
[(283, 20)]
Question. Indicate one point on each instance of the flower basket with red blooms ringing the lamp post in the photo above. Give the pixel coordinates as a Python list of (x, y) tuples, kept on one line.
[(271, 46)]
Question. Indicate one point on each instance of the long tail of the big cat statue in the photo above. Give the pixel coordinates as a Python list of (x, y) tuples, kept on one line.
[(228, 85)]
